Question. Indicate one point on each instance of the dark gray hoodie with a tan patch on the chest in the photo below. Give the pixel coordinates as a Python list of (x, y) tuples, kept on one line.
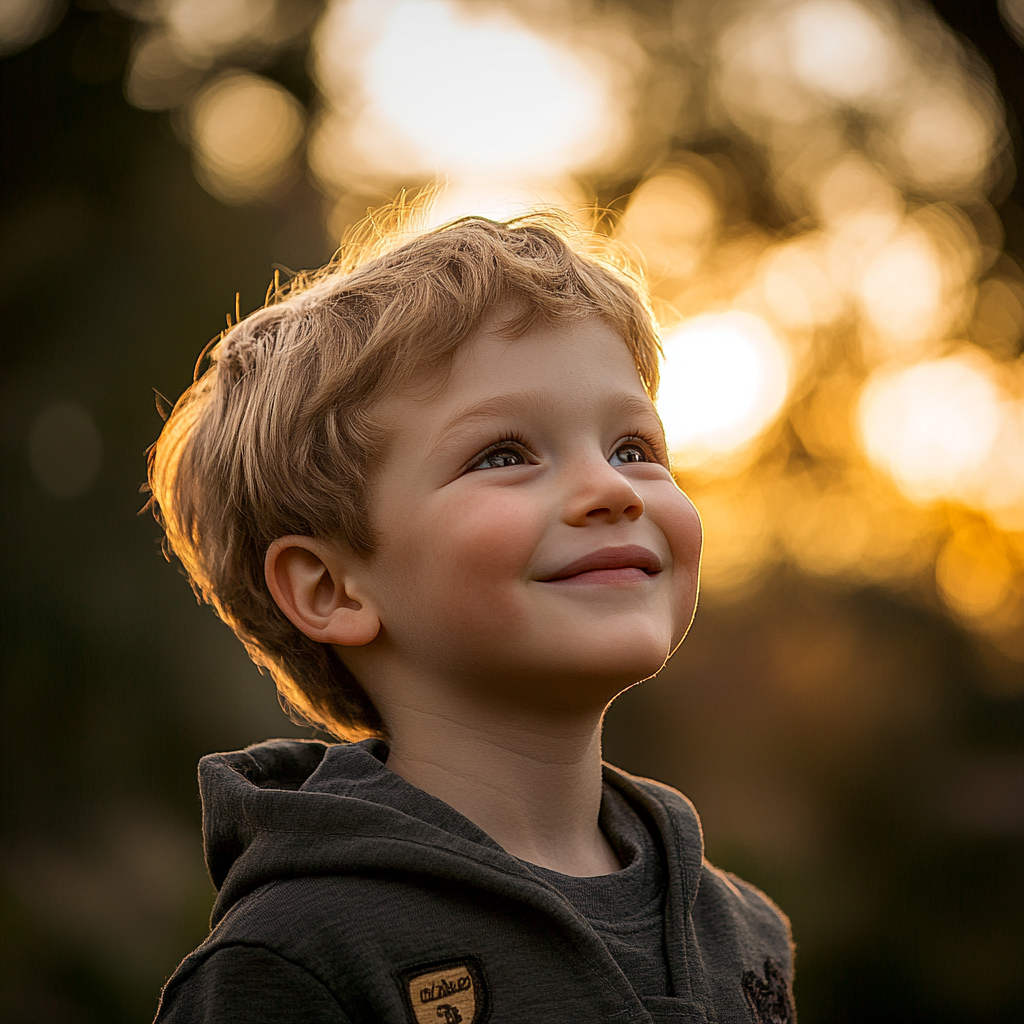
[(346, 894)]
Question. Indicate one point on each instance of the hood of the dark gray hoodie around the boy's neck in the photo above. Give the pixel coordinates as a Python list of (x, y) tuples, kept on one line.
[(289, 808)]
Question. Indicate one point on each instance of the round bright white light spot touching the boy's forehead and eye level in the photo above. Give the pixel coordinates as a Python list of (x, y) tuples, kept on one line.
[(724, 378)]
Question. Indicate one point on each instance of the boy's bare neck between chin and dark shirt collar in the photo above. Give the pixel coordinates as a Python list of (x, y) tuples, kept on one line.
[(532, 783)]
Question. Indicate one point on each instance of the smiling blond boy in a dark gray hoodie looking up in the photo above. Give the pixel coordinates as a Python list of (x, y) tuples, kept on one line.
[(429, 490)]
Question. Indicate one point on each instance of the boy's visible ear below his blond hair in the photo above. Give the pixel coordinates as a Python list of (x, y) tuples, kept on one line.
[(309, 580)]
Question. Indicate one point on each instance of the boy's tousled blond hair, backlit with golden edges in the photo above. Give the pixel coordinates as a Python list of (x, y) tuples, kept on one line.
[(278, 436)]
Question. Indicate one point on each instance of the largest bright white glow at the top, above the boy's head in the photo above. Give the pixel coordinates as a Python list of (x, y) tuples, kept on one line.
[(426, 87)]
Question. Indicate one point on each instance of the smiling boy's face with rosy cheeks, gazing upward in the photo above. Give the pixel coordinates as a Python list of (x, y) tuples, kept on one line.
[(532, 540)]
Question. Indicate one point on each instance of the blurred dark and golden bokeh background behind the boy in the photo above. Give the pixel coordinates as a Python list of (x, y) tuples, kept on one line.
[(826, 197)]
